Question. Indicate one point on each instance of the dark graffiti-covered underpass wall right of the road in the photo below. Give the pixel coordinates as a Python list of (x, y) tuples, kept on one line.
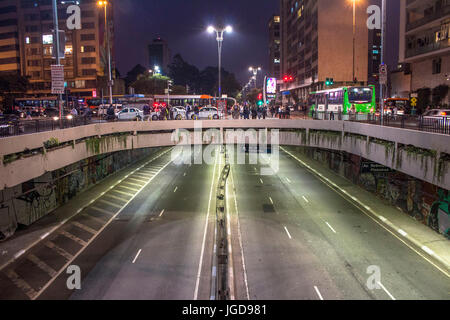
[(425, 202)]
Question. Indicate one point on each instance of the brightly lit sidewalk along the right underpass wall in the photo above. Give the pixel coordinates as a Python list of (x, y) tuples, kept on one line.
[(427, 243)]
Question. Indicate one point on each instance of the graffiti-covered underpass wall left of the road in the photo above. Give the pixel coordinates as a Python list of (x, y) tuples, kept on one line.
[(26, 203)]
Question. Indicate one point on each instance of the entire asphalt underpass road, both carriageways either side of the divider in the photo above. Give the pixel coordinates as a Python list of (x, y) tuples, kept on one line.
[(292, 238)]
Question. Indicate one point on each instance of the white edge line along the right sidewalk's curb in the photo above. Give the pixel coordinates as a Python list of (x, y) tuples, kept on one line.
[(374, 219)]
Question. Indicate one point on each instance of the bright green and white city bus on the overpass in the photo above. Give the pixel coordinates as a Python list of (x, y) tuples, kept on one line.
[(342, 99)]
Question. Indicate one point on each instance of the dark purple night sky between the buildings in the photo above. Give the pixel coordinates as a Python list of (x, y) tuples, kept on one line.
[(183, 23)]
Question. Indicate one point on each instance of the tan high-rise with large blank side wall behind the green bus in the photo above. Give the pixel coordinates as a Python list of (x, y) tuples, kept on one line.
[(317, 43)]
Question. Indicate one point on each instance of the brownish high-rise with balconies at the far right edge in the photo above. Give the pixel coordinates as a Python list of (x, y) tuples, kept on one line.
[(425, 43)]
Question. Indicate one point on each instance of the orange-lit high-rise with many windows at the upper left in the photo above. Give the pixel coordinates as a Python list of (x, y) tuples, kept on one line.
[(26, 44)]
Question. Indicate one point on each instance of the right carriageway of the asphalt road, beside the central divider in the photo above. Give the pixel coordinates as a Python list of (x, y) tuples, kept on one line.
[(301, 240)]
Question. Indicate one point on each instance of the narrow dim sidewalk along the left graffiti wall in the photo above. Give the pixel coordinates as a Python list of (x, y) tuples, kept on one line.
[(14, 247)]
